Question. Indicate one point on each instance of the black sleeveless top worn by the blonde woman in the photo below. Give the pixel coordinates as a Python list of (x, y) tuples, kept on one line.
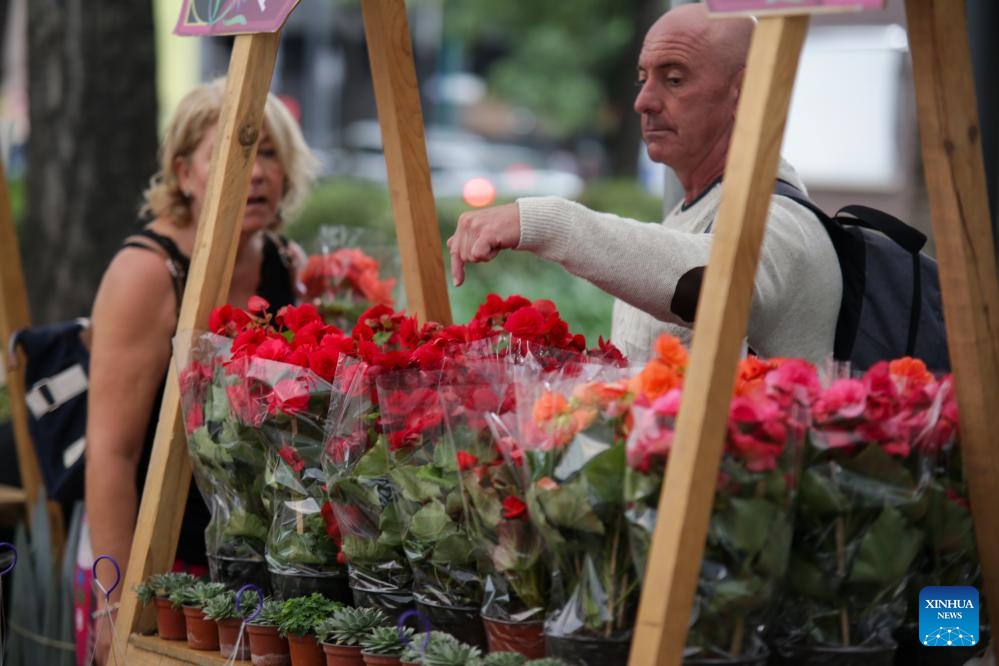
[(277, 288)]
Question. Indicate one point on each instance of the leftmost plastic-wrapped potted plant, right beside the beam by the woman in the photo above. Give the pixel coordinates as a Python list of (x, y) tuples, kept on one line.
[(226, 451)]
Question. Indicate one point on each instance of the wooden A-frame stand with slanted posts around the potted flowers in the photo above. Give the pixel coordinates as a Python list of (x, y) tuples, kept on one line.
[(956, 185)]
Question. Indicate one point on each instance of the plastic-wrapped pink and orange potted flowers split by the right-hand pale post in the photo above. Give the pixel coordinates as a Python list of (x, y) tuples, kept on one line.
[(749, 534)]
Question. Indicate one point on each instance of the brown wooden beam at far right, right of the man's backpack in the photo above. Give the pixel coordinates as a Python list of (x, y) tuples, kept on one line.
[(955, 181)]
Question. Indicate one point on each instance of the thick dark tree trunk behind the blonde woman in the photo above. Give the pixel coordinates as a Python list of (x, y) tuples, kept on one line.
[(92, 92)]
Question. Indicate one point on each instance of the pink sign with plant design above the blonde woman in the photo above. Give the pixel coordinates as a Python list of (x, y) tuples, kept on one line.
[(232, 17)]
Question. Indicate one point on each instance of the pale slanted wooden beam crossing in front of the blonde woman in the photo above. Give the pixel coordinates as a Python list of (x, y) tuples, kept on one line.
[(161, 510)]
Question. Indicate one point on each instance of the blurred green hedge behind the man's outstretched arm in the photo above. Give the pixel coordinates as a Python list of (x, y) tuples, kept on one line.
[(585, 308)]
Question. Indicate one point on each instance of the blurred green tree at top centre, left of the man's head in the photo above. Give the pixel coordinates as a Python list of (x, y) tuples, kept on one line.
[(571, 63)]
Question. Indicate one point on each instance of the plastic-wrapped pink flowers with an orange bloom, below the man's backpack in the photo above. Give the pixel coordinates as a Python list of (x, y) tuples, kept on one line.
[(869, 507)]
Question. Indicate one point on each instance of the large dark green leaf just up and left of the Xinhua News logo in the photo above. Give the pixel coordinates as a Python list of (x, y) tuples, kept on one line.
[(886, 551)]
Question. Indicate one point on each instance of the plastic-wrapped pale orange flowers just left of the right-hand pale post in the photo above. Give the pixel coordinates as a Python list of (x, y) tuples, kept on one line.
[(572, 429)]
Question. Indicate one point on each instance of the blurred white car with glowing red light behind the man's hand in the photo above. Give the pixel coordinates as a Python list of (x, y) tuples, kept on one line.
[(462, 164)]
